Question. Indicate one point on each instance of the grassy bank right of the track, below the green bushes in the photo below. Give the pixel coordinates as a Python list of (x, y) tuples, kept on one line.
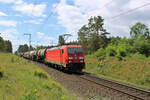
[(134, 70)]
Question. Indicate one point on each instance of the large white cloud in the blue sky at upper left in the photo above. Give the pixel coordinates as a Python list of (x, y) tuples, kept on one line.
[(31, 9)]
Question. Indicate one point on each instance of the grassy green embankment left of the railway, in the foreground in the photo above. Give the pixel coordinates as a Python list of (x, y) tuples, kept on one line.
[(21, 80)]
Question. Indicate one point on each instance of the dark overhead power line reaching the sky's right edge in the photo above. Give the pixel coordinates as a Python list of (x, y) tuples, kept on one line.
[(131, 10)]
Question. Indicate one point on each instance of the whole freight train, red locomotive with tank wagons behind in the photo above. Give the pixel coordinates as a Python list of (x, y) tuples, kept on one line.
[(68, 57)]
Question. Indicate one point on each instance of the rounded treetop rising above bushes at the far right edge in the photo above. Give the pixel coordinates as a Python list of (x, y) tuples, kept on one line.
[(139, 29)]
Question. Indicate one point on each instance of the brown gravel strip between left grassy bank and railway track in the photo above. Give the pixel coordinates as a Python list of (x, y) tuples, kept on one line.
[(85, 90)]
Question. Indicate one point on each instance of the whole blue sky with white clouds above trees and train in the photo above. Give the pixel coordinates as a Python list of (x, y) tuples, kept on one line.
[(47, 19)]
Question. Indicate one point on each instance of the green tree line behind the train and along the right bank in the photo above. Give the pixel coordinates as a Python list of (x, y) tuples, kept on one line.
[(95, 40)]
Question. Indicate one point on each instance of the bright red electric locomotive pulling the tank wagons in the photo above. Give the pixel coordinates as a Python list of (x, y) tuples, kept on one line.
[(68, 56)]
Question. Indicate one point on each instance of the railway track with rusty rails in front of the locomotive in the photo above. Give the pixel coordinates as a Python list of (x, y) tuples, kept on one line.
[(132, 91)]
